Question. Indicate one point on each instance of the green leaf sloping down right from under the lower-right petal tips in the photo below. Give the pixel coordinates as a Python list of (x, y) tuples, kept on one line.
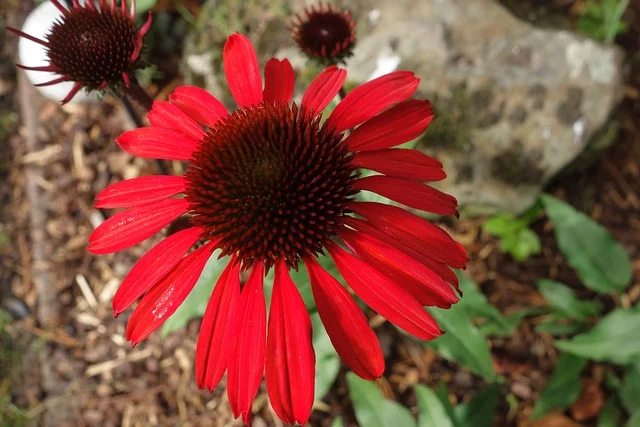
[(462, 342)]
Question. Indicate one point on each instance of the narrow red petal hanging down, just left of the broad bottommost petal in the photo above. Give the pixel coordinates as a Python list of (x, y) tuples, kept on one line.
[(247, 364)]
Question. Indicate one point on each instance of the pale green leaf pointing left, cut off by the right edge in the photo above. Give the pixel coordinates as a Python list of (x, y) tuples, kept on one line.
[(614, 339)]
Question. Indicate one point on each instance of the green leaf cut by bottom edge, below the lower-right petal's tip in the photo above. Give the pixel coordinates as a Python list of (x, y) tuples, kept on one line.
[(372, 409)]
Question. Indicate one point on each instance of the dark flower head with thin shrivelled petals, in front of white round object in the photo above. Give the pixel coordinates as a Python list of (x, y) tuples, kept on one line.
[(94, 47)]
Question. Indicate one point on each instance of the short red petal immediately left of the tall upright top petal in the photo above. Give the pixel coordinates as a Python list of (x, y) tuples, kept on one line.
[(199, 104)]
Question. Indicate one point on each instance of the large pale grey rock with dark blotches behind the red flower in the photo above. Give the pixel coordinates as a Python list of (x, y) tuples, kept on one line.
[(515, 104)]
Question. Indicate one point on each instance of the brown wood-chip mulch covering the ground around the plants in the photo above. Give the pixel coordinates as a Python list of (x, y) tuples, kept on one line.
[(76, 368)]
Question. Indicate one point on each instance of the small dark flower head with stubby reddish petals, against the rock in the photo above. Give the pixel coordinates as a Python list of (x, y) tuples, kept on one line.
[(325, 34)]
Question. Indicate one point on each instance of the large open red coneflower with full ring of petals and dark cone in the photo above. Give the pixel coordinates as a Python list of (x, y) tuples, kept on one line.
[(271, 185)]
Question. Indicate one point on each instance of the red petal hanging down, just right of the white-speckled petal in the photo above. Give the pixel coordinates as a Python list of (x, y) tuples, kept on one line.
[(214, 340)]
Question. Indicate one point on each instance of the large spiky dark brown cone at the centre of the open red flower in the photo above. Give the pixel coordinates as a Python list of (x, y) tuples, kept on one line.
[(271, 182)]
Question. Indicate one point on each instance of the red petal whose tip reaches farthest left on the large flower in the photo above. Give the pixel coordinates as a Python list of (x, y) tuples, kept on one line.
[(130, 227)]
